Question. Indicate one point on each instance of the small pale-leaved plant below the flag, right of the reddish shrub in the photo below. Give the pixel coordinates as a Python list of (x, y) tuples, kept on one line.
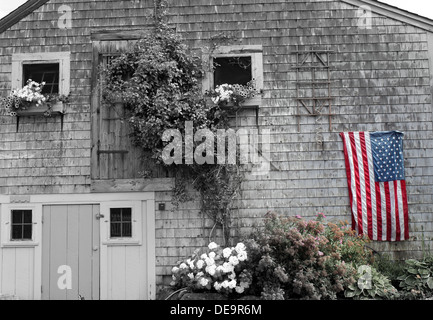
[(371, 284)]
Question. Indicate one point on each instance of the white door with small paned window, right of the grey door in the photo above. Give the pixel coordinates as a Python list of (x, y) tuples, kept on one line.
[(125, 255)]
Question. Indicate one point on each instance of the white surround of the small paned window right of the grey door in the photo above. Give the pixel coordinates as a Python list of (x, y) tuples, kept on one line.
[(136, 223)]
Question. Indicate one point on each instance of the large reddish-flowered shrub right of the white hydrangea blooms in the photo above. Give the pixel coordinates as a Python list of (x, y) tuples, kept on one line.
[(294, 256)]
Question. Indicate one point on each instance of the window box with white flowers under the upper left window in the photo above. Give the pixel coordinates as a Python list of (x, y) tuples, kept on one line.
[(30, 101)]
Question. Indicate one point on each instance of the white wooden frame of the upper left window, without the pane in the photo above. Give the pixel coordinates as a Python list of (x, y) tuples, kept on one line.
[(62, 58)]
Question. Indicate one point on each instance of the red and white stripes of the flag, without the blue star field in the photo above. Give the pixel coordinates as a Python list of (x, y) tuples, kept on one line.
[(379, 209)]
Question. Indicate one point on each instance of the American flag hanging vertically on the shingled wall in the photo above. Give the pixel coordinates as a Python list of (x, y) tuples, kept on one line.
[(377, 186)]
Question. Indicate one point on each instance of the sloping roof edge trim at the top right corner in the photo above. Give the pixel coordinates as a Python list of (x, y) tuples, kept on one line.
[(396, 13)]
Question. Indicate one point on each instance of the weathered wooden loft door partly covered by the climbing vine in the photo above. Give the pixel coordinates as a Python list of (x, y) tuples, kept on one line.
[(113, 153)]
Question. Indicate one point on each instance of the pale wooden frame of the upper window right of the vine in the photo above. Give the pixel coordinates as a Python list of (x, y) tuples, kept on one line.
[(253, 51)]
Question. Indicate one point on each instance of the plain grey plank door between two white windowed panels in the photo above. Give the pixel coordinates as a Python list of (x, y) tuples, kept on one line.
[(70, 252)]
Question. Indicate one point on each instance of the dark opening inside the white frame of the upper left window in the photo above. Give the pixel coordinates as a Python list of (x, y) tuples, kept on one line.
[(43, 72)]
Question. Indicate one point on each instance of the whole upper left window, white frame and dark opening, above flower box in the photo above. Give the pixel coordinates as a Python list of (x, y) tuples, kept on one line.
[(51, 67)]
